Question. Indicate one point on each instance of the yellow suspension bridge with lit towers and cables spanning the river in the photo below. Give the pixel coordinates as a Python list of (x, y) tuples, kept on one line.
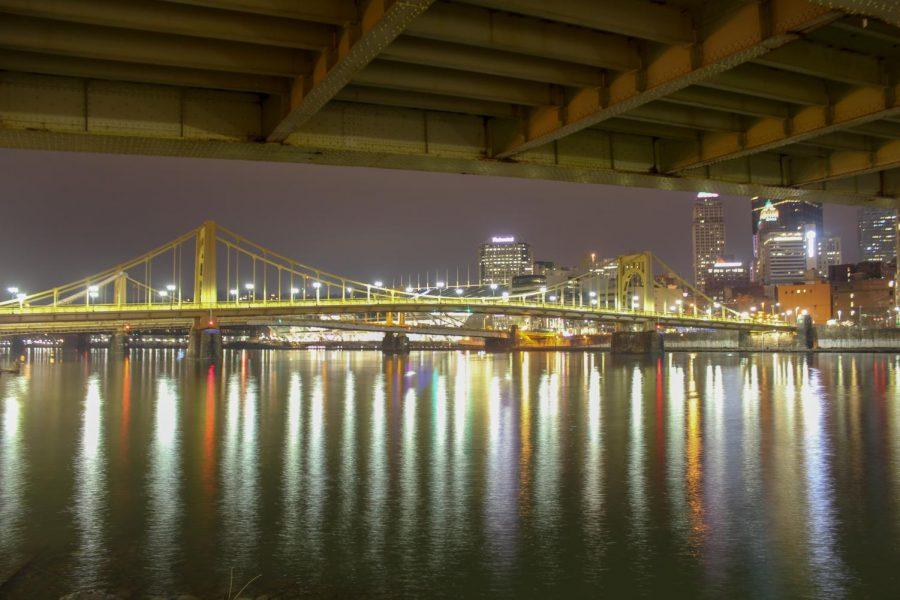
[(234, 281)]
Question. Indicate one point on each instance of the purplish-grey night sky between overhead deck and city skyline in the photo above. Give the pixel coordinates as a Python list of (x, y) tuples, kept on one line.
[(65, 215)]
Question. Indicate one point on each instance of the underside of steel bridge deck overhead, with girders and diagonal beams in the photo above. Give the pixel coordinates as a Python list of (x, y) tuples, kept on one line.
[(780, 98)]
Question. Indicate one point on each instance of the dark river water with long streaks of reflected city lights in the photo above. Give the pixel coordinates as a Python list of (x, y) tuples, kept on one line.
[(451, 474)]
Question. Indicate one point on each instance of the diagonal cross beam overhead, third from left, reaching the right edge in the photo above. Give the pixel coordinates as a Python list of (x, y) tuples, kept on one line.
[(856, 107)]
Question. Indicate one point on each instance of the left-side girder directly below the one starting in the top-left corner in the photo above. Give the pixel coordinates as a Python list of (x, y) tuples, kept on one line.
[(106, 43)]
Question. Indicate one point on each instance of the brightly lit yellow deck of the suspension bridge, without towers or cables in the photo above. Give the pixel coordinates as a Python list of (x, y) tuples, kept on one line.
[(110, 317)]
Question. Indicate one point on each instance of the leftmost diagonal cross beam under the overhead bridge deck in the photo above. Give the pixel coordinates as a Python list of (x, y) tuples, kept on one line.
[(380, 23)]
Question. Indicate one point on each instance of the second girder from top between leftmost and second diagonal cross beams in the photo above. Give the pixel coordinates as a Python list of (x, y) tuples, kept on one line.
[(473, 26)]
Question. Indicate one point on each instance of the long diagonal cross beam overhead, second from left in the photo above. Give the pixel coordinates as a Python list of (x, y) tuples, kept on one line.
[(741, 35)]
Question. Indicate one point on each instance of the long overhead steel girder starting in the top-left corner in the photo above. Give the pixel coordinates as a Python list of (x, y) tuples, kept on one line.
[(147, 15)]
